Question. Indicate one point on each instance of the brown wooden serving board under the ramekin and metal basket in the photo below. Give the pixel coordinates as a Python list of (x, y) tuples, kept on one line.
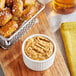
[(12, 62)]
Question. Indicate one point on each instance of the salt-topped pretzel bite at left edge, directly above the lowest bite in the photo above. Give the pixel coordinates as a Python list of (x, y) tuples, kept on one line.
[(5, 16)]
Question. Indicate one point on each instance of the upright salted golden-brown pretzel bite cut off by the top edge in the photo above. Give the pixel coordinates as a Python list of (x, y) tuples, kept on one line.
[(17, 8)]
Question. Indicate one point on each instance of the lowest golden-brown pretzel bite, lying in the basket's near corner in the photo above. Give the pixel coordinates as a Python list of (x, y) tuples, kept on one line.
[(8, 29)]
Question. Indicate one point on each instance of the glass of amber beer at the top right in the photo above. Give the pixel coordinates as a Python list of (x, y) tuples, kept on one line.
[(64, 6)]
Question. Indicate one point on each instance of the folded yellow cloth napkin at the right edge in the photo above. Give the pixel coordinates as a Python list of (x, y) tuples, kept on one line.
[(68, 31)]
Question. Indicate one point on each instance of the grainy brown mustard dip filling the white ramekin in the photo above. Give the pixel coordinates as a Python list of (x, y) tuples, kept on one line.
[(39, 48)]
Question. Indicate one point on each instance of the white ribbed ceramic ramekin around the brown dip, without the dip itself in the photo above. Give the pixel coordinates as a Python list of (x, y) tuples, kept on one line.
[(38, 65)]
